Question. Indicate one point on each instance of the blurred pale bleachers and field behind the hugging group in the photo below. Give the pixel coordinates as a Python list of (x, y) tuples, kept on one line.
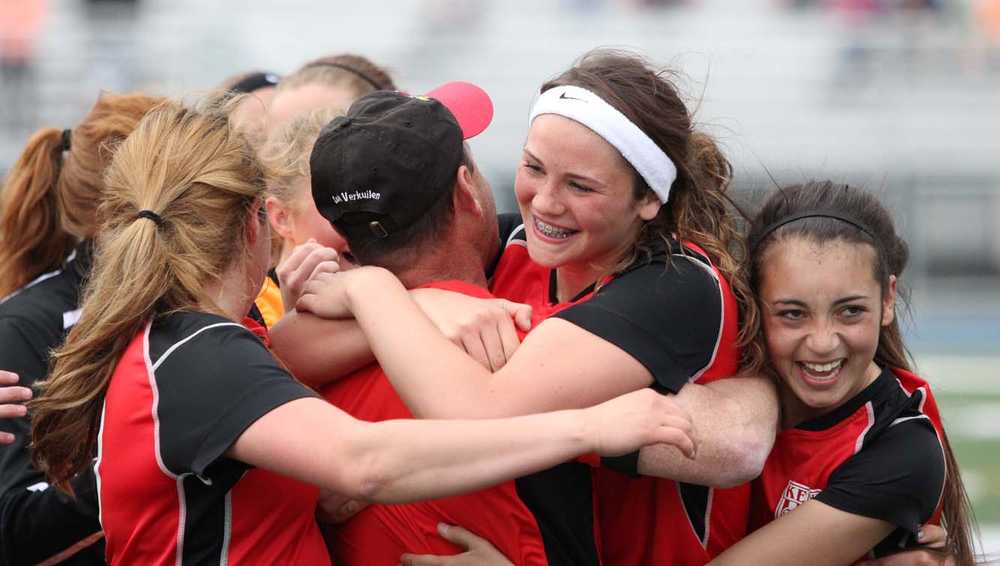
[(901, 96)]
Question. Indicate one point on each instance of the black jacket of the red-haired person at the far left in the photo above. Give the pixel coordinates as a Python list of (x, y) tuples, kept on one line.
[(37, 522)]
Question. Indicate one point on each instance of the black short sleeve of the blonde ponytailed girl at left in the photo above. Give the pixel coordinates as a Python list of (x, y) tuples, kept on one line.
[(211, 389)]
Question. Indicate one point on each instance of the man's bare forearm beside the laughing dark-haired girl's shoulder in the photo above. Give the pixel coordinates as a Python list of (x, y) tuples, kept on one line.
[(736, 421)]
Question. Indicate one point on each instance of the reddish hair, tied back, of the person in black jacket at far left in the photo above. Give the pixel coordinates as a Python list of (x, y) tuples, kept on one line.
[(50, 198)]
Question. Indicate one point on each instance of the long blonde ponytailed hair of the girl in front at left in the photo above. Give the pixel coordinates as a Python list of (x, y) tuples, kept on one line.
[(199, 175)]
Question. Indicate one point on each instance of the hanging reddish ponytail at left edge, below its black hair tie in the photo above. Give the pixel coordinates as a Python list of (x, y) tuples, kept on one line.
[(32, 240)]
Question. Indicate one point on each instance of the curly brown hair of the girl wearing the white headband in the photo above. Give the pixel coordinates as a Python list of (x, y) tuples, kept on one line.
[(699, 210)]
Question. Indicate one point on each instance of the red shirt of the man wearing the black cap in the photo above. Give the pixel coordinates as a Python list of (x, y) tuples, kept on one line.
[(380, 534)]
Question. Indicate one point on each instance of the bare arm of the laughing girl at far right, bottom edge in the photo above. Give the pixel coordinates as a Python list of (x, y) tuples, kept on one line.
[(815, 533)]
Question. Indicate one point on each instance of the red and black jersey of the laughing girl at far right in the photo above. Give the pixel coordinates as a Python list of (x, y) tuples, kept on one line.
[(878, 455)]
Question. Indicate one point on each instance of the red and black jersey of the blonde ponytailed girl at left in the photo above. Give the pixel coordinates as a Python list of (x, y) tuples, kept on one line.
[(183, 392)]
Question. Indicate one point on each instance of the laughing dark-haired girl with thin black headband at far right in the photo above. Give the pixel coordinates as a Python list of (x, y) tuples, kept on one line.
[(861, 462)]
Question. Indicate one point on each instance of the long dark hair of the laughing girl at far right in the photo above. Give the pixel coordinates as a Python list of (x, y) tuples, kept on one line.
[(867, 223)]
